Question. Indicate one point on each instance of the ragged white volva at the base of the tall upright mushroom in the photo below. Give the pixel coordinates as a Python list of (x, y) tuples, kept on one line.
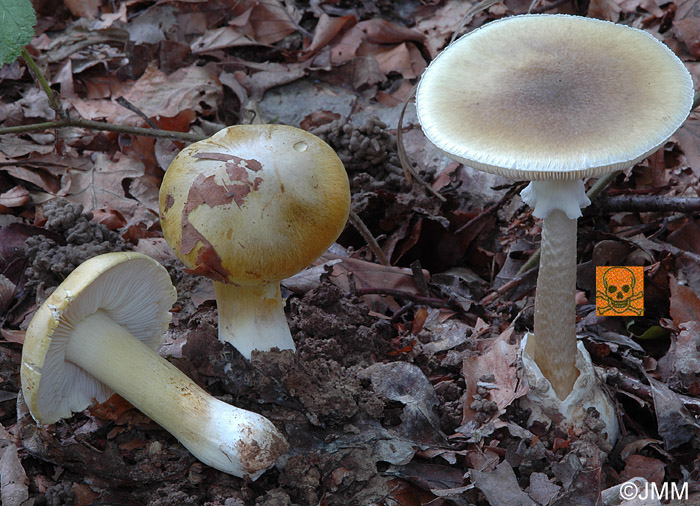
[(587, 392)]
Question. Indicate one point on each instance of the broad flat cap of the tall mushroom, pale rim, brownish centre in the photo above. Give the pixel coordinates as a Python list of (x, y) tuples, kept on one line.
[(553, 96)]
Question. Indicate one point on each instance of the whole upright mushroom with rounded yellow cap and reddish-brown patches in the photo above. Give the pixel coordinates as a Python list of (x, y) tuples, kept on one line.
[(248, 207)]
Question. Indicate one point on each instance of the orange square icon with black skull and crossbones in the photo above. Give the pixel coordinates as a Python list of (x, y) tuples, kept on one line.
[(619, 295)]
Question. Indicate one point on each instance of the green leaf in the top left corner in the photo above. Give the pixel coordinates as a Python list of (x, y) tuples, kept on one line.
[(17, 20)]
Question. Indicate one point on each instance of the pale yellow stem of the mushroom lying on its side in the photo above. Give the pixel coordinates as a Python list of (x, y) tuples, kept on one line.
[(233, 440)]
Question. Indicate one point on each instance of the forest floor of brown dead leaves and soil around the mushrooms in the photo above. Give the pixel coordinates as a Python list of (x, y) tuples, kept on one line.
[(386, 400)]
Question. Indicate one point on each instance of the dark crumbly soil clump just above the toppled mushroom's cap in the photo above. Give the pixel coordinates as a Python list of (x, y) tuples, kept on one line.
[(50, 262)]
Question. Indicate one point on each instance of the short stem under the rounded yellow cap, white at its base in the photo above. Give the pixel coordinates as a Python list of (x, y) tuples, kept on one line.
[(252, 317)]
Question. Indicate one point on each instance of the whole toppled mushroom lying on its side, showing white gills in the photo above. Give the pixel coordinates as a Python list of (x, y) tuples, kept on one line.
[(96, 334)]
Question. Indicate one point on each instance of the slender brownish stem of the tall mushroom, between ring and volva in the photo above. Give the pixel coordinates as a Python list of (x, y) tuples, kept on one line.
[(555, 303)]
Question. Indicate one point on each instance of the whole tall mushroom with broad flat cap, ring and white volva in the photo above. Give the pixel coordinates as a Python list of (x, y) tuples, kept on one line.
[(554, 99)]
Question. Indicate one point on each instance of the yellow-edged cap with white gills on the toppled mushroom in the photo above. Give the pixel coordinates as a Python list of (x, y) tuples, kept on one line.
[(133, 289)]
